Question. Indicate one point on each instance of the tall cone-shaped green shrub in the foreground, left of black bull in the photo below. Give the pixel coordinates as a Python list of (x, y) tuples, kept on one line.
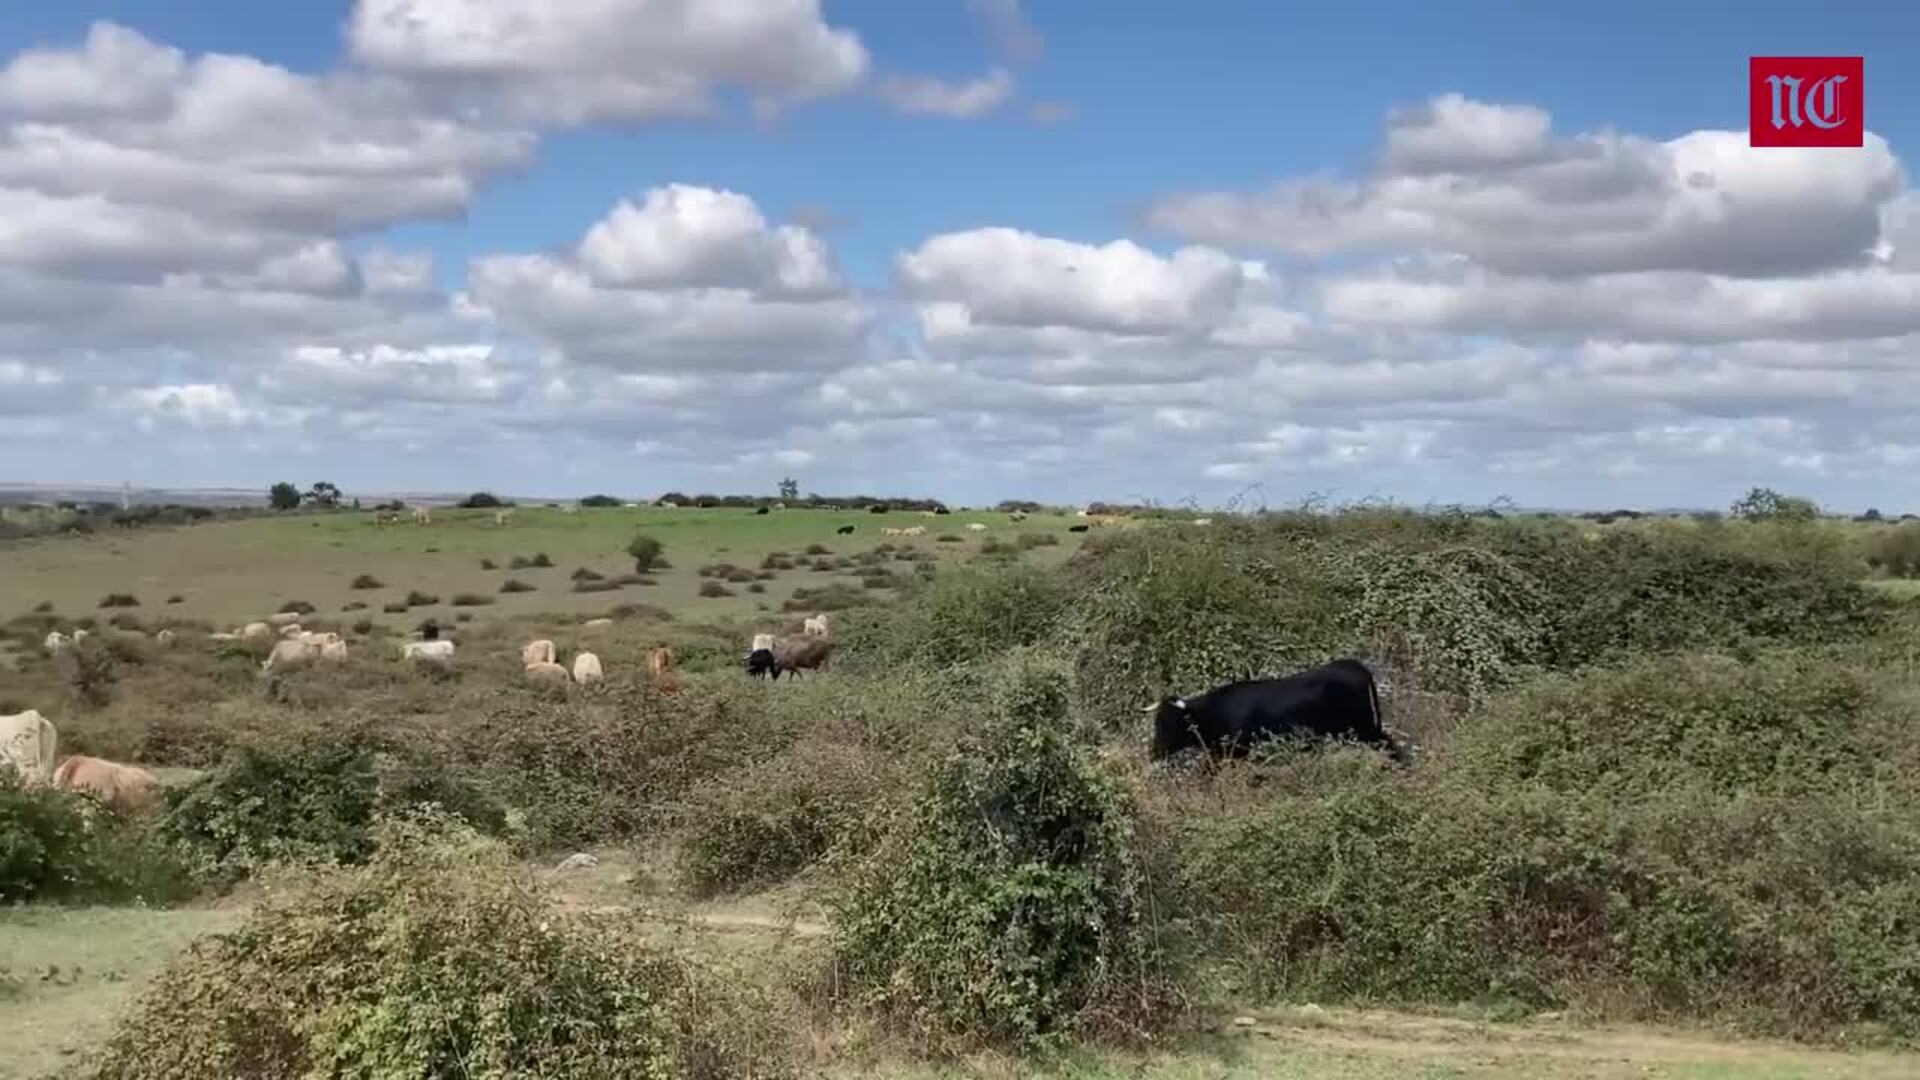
[(1009, 904)]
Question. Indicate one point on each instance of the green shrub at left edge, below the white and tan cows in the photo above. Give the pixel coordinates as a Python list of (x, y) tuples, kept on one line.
[(51, 850)]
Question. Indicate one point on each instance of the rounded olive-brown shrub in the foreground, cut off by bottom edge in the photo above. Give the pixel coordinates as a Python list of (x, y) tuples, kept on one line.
[(437, 964)]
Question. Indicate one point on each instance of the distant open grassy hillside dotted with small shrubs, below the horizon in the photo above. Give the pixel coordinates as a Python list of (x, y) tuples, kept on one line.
[(237, 572)]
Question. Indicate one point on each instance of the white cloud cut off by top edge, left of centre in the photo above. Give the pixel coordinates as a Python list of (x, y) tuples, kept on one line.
[(610, 61)]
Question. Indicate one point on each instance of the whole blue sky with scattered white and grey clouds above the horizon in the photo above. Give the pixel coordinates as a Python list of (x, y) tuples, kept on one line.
[(1418, 251)]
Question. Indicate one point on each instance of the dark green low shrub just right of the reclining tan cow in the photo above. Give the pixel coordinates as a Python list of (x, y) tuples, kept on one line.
[(310, 800)]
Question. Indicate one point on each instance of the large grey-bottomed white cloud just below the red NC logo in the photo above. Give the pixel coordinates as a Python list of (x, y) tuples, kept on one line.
[(1495, 185)]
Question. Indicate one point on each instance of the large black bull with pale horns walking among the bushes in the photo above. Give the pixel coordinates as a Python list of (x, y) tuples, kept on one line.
[(1324, 702)]
